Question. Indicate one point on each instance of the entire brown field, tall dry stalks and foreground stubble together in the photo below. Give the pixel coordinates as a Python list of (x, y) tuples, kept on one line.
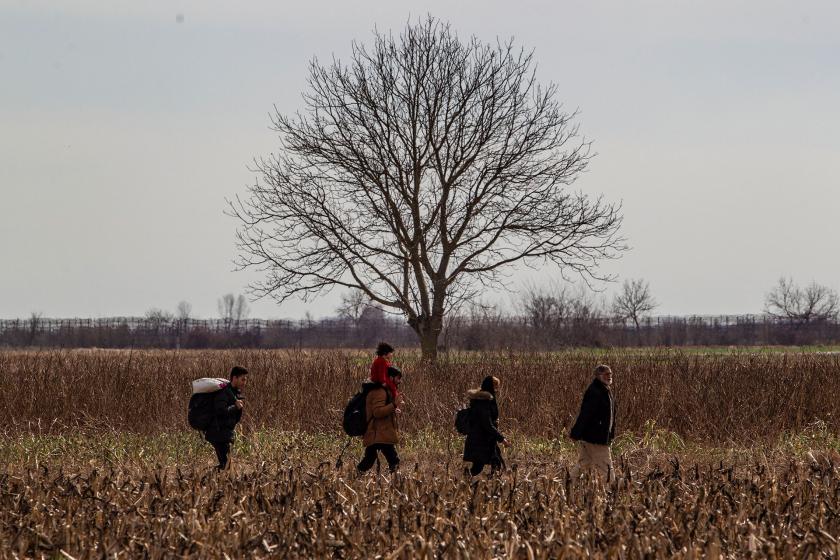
[(718, 456)]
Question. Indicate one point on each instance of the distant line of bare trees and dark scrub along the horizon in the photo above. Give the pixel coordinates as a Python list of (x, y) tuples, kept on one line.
[(544, 318)]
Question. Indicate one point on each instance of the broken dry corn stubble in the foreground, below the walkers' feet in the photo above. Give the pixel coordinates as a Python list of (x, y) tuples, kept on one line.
[(299, 511)]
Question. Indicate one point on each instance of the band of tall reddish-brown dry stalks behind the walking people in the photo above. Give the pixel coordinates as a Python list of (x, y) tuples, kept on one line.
[(740, 398)]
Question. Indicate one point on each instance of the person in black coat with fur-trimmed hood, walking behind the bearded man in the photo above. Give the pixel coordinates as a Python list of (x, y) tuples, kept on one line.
[(483, 438)]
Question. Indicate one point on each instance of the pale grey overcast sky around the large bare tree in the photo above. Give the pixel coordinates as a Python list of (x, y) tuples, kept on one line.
[(125, 124)]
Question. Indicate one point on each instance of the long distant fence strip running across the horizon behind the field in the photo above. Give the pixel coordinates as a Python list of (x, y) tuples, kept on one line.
[(471, 333)]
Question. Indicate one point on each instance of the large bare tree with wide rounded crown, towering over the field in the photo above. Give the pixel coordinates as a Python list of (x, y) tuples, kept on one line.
[(418, 173)]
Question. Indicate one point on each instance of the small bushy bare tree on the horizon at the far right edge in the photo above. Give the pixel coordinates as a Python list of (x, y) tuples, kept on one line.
[(813, 303)]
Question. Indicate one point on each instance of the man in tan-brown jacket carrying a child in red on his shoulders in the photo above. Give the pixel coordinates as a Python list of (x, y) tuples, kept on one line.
[(381, 411)]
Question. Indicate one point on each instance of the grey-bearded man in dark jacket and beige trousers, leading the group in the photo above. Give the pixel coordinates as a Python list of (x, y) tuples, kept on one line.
[(595, 425)]
